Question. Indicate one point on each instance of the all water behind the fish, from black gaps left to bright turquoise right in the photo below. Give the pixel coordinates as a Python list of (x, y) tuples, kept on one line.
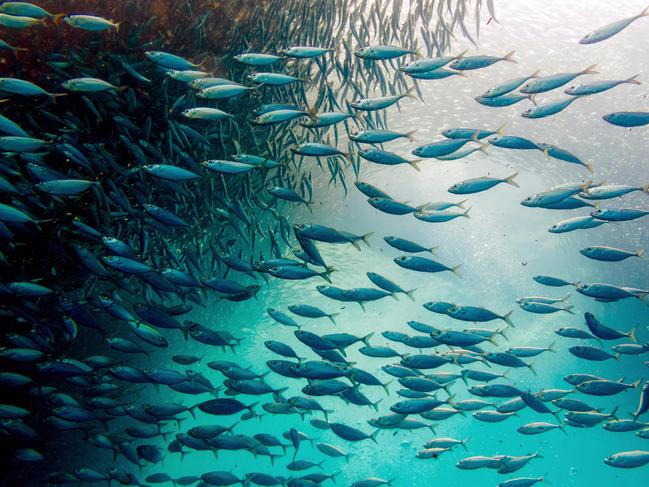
[(501, 246)]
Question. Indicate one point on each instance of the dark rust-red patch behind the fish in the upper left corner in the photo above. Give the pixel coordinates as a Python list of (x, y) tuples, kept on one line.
[(194, 29)]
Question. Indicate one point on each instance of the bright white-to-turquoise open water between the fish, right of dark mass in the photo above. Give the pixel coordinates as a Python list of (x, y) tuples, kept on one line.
[(500, 248)]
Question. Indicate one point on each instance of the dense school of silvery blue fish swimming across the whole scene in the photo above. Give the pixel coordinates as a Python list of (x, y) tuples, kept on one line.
[(138, 186)]
